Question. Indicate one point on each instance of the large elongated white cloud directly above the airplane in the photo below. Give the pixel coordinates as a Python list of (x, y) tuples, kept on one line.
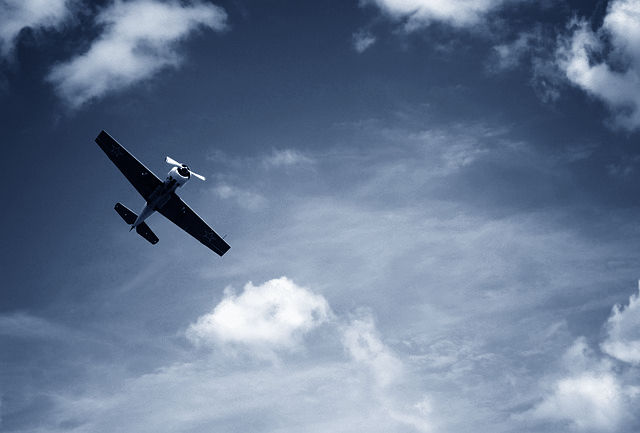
[(139, 39)]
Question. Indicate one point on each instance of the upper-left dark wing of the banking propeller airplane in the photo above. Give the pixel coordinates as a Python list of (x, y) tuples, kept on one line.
[(140, 176)]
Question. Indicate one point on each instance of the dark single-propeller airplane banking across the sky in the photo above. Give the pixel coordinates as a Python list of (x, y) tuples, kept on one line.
[(160, 196)]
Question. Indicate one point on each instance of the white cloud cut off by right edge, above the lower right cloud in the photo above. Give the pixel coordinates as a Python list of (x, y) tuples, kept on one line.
[(623, 326)]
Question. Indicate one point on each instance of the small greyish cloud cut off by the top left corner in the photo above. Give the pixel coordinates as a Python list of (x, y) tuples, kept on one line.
[(16, 15)]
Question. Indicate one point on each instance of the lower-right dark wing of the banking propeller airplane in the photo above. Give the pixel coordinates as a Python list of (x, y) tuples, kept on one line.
[(180, 214)]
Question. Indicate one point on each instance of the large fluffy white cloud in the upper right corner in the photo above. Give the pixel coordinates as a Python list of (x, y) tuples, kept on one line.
[(606, 63)]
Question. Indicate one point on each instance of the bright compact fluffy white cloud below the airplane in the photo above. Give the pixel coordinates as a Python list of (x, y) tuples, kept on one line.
[(270, 316)]
